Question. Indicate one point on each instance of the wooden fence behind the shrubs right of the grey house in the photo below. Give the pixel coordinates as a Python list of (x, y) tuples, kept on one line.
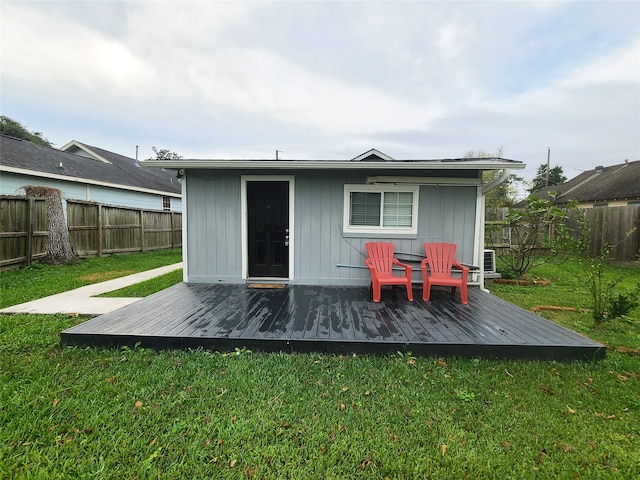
[(617, 226)]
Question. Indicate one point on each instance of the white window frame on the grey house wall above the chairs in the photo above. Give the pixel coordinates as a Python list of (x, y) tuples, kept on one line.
[(350, 229)]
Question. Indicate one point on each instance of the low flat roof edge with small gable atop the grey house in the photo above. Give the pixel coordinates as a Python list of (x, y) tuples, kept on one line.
[(373, 159)]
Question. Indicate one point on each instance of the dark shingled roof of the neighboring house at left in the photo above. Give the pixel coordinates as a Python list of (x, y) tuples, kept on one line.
[(93, 166)]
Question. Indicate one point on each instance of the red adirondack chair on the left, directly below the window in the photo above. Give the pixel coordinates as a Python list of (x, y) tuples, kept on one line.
[(380, 263)]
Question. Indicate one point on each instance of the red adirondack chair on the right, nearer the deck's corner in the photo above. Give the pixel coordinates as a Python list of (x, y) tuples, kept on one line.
[(441, 259)]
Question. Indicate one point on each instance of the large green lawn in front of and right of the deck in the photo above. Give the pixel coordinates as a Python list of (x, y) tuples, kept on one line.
[(137, 413)]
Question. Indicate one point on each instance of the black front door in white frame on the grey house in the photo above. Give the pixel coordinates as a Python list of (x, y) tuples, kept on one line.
[(268, 228)]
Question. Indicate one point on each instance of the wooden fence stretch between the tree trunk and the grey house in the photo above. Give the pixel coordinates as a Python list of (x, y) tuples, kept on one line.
[(96, 229)]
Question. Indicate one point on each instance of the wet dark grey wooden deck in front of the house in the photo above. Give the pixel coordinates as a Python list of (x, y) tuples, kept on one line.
[(333, 320)]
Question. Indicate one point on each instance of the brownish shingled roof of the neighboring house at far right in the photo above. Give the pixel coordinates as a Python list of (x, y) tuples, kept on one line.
[(602, 184)]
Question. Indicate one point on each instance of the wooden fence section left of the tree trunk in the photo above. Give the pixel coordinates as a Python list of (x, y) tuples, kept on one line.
[(23, 230)]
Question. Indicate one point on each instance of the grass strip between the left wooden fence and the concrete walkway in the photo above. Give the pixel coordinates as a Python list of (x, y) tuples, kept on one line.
[(39, 280)]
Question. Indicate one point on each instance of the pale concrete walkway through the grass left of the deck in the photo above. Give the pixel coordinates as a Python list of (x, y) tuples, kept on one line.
[(82, 301)]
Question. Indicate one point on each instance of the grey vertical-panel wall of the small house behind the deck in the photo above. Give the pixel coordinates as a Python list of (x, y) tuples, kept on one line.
[(322, 253)]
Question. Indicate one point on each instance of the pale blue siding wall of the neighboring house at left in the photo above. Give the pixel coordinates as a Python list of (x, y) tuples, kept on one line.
[(12, 184)]
